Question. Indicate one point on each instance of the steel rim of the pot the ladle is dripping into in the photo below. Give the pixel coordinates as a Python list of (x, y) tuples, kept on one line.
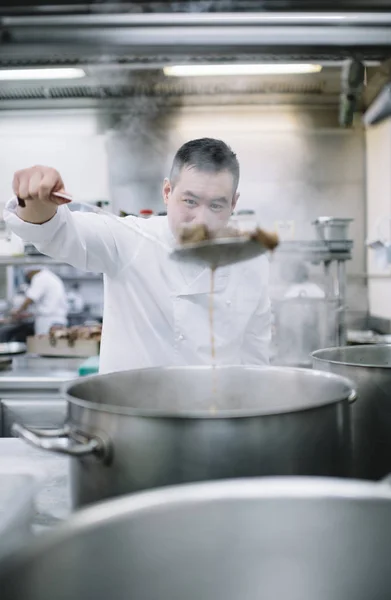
[(343, 396)]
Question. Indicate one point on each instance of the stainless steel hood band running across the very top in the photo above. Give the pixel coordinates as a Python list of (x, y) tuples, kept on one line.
[(362, 35)]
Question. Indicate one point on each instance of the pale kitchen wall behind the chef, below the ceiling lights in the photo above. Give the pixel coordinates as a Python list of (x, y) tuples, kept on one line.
[(296, 163)]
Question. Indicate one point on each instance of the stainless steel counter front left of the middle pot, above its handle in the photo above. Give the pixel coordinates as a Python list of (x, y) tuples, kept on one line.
[(43, 413)]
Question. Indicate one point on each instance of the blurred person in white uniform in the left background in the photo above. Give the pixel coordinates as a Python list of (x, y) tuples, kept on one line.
[(46, 292)]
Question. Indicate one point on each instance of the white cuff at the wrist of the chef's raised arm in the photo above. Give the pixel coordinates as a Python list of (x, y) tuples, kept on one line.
[(31, 232)]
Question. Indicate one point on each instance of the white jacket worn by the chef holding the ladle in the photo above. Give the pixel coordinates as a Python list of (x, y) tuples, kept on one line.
[(156, 310)]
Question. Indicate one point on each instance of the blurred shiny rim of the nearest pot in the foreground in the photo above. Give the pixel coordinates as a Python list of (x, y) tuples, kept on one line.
[(295, 489)]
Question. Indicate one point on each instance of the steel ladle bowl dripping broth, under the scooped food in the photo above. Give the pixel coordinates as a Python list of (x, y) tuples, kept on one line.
[(218, 253)]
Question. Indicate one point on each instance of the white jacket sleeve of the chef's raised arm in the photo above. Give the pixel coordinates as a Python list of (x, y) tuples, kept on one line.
[(88, 241)]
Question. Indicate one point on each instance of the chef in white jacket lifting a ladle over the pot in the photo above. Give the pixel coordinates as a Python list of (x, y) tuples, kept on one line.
[(156, 310)]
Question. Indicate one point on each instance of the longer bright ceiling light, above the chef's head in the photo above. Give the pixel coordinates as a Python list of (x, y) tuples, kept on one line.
[(233, 69)]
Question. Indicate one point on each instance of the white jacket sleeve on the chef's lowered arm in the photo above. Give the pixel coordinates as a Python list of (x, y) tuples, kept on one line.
[(257, 337)]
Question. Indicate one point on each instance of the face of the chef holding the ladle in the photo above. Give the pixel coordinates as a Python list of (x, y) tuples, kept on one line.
[(200, 197)]
